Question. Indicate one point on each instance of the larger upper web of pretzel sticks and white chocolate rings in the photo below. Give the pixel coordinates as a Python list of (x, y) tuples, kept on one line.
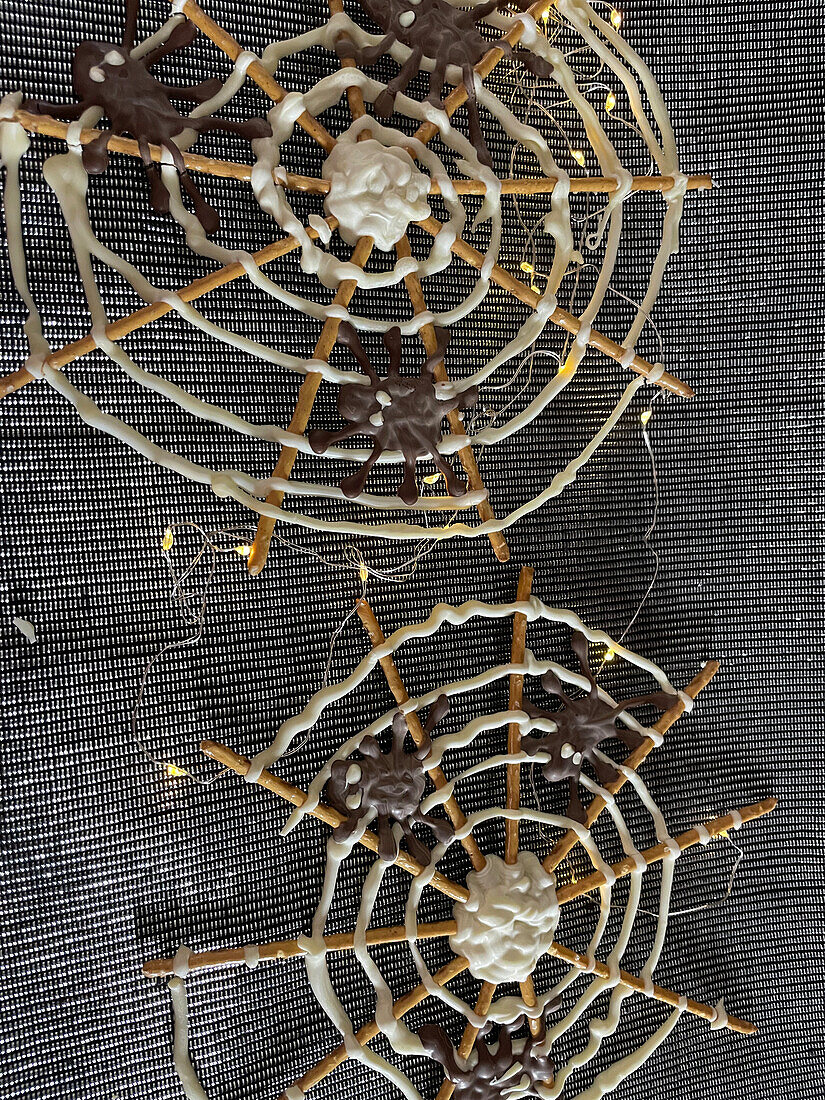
[(273, 185)]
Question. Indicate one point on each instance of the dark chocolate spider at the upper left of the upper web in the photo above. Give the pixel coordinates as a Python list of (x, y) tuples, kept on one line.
[(105, 75)]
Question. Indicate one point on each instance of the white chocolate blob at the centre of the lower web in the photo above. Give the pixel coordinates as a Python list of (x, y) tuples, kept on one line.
[(510, 920)]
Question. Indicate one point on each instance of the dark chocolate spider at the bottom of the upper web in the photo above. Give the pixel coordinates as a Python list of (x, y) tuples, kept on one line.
[(401, 414)]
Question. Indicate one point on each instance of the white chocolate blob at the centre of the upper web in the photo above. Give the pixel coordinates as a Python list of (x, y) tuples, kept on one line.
[(376, 192)]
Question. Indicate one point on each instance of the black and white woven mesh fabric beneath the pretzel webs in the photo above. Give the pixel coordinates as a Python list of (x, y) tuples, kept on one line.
[(106, 864)]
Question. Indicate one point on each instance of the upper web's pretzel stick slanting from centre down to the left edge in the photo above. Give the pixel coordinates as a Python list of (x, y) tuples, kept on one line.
[(122, 328)]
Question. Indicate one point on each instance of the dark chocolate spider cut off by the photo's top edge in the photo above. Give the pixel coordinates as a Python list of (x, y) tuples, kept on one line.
[(448, 36)]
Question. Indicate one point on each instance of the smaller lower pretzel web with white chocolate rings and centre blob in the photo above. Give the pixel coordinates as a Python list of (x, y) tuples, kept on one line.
[(509, 910)]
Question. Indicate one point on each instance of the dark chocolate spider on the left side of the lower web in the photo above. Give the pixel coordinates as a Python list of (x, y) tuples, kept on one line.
[(391, 784)]
